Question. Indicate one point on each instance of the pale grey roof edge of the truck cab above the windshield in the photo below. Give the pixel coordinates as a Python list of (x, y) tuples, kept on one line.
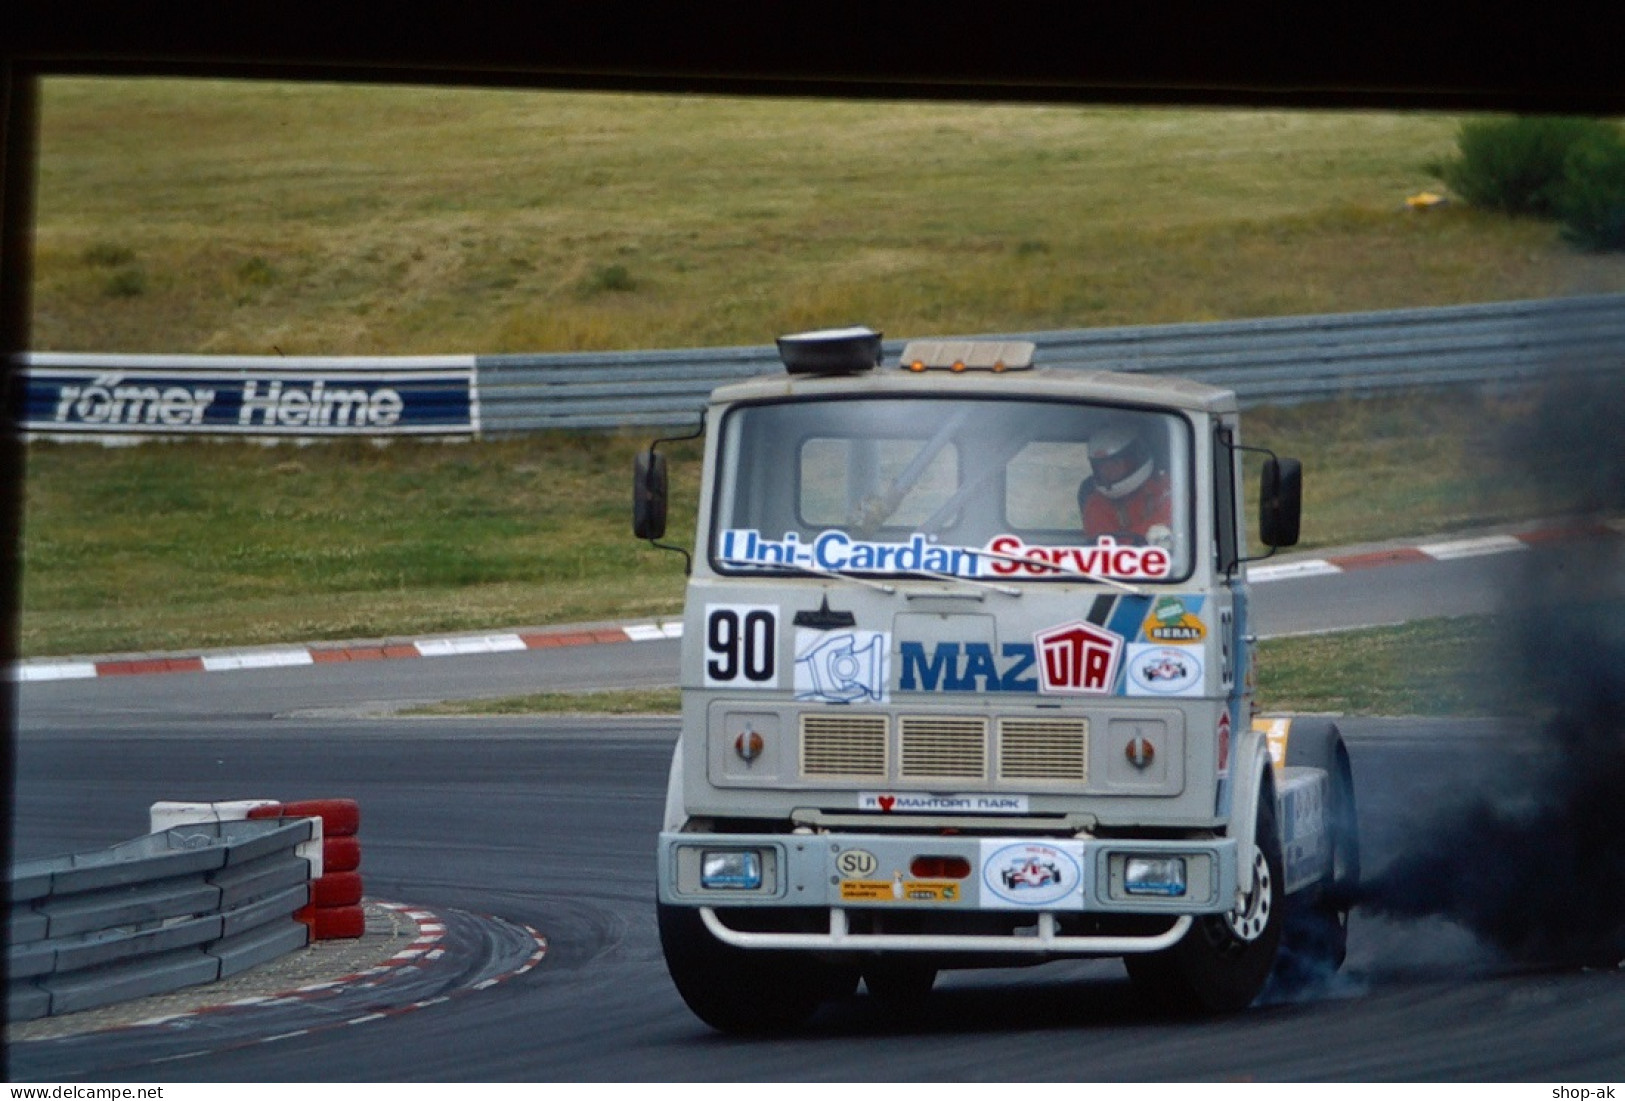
[(1041, 382)]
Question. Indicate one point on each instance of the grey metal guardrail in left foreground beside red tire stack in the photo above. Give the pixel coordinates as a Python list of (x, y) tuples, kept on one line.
[(193, 904)]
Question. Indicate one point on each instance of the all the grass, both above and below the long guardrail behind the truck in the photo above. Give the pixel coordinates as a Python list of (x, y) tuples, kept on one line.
[(210, 217)]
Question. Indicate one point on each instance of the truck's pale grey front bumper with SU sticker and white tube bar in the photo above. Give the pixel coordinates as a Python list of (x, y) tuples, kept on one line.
[(925, 876)]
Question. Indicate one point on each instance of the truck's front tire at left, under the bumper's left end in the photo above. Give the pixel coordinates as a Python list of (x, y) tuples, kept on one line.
[(740, 990)]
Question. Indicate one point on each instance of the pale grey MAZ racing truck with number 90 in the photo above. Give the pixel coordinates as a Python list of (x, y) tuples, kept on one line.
[(943, 709)]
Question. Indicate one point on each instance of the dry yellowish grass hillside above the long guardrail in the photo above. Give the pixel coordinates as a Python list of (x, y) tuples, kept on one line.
[(323, 220)]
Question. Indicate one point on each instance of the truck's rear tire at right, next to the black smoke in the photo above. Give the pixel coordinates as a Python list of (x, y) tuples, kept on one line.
[(1315, 941)]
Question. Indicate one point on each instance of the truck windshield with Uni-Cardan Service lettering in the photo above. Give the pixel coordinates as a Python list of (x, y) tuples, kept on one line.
[(973, 488)]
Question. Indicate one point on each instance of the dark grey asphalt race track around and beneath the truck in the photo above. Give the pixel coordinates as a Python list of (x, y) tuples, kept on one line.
[(500, 827)]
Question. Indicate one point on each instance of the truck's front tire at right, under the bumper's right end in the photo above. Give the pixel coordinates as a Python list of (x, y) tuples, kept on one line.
[(1224, 962)]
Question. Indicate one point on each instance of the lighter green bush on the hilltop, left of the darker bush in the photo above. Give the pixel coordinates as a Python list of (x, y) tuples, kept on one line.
[(1519, 165)]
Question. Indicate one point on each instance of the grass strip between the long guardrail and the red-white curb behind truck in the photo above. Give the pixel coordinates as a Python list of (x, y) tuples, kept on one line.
[(168, 546)]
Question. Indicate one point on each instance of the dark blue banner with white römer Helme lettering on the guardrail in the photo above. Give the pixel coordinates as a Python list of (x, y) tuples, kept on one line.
[(251, 402)]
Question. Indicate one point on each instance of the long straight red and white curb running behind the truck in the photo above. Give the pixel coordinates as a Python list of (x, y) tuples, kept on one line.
[(459, 645)]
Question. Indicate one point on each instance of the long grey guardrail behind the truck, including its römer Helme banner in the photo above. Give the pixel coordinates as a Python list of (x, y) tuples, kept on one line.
[(1268, 361)]
